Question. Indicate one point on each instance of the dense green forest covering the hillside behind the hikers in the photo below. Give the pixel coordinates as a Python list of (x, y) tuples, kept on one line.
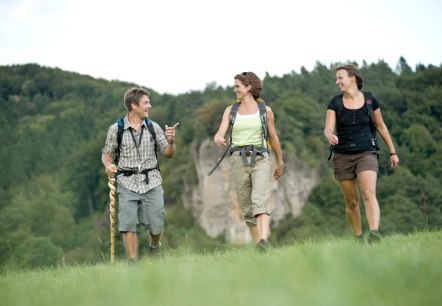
[(54, 193)]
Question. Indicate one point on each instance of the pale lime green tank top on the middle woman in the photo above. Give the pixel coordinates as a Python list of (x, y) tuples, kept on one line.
[(247, 131)]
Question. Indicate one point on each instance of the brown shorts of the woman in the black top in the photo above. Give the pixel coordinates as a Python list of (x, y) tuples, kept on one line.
[(348, 166)]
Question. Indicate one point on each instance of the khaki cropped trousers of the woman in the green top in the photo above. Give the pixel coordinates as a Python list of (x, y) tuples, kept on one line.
[(252, 186)]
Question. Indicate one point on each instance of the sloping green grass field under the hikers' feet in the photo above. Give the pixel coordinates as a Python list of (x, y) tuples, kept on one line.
[(402, 270)]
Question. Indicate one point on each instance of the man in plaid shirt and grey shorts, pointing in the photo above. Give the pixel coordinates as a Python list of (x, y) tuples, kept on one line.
[(129, 154)]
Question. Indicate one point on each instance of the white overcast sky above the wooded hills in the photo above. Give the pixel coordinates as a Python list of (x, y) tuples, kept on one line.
[(174, 46)]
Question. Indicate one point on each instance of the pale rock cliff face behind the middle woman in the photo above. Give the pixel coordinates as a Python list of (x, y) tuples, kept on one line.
[(214, 204)]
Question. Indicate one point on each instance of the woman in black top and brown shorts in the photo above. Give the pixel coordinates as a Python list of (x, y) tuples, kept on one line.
[(357, 116)]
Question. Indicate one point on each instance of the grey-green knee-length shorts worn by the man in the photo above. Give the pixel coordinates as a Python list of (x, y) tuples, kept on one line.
[(146, 208)]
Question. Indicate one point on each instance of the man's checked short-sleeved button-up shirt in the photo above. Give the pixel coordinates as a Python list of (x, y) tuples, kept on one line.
[(129, 158)]
